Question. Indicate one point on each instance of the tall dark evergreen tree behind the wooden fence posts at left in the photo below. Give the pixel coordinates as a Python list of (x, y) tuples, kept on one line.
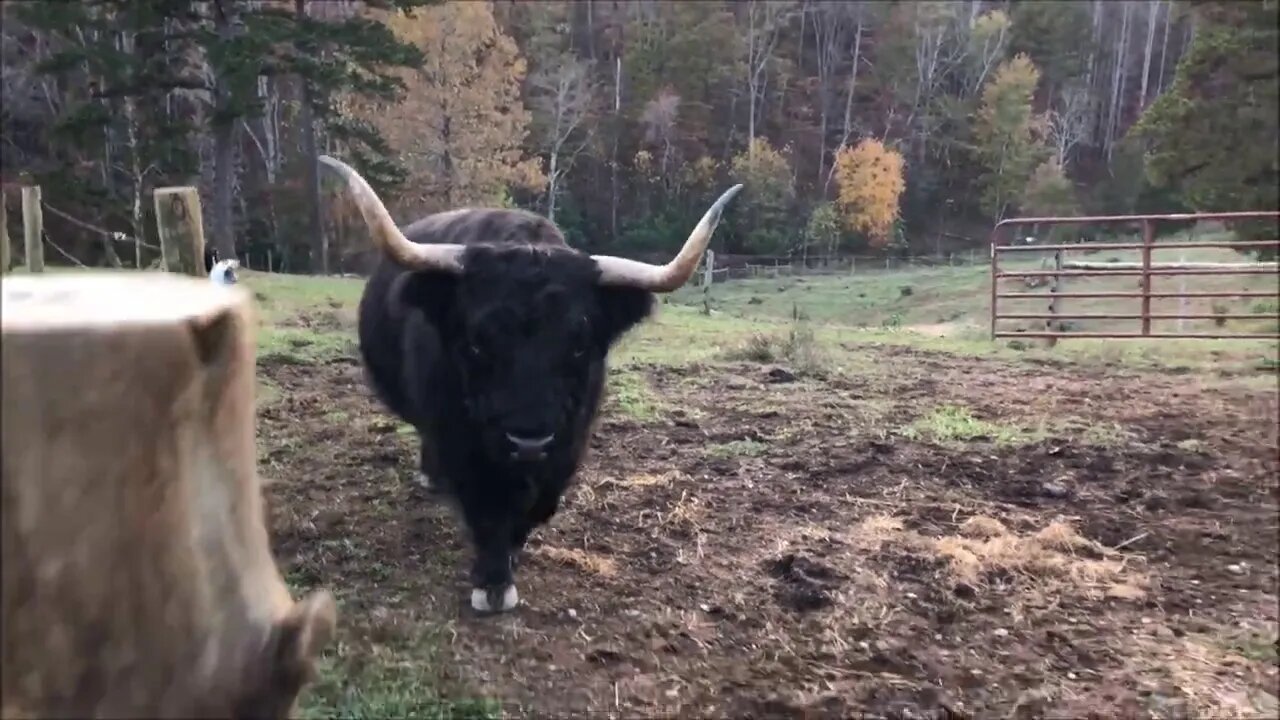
[(147, 63)]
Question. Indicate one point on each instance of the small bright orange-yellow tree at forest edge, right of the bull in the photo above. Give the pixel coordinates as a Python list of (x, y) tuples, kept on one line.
[(871, 183)]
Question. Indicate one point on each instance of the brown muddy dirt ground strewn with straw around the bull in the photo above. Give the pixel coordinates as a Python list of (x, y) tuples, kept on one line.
[(770, 546)]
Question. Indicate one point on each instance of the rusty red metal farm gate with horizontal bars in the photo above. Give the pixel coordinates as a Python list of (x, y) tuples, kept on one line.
[(1146, 270)]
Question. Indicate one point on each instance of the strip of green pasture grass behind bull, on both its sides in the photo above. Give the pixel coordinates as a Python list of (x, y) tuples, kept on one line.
[(848, 316)]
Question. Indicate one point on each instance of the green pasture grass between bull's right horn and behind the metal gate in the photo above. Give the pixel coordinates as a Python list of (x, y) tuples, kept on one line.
[(954, 303)]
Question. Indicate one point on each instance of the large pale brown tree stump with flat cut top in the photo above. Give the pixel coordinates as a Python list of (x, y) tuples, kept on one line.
[(138, 578)]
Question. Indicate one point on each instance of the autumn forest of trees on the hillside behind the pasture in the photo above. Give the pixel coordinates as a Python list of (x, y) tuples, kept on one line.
[(857, 126)]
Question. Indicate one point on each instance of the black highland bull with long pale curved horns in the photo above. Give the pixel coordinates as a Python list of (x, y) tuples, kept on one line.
[(490, 335)]
